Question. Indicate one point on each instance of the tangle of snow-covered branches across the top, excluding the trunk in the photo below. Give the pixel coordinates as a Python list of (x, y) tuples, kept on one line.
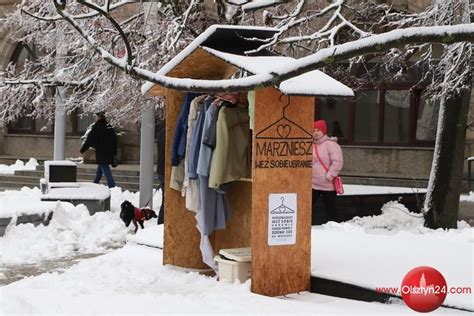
[(156, 35)]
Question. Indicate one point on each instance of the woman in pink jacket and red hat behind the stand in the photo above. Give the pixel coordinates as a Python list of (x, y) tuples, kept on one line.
[(330, 154)]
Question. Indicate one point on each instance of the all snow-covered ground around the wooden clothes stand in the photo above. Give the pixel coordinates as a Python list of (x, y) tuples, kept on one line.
[(370, 252)]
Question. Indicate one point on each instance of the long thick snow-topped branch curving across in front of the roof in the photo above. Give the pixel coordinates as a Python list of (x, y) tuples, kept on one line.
[(372, 44)]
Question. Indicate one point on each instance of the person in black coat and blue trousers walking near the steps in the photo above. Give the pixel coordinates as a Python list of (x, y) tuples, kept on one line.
[(102, 137)]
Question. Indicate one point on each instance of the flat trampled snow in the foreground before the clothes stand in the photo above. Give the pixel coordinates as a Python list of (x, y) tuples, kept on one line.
[(132, 280)]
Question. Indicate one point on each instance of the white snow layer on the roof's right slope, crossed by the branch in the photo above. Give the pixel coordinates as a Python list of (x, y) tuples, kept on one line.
[(311, 83)]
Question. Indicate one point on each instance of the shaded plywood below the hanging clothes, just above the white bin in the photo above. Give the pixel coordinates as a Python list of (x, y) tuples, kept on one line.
[(237, 232)]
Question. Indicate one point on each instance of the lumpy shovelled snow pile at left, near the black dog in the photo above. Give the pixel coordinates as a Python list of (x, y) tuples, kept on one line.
[(72, 230)]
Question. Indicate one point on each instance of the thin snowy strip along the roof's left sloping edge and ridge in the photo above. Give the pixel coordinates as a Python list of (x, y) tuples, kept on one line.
[(196, 44)]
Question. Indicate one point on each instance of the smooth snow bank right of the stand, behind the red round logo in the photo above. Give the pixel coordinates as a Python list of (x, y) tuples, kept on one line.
[(378, 251)]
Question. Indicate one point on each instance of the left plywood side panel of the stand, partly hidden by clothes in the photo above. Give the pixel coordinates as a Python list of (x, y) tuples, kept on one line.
[(181, 237)]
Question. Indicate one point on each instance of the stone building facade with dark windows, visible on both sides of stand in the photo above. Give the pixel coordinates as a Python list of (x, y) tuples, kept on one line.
[(387, 132)]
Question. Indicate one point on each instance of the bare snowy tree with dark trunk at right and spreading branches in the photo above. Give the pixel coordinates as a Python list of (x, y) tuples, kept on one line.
[(321, 36)]
